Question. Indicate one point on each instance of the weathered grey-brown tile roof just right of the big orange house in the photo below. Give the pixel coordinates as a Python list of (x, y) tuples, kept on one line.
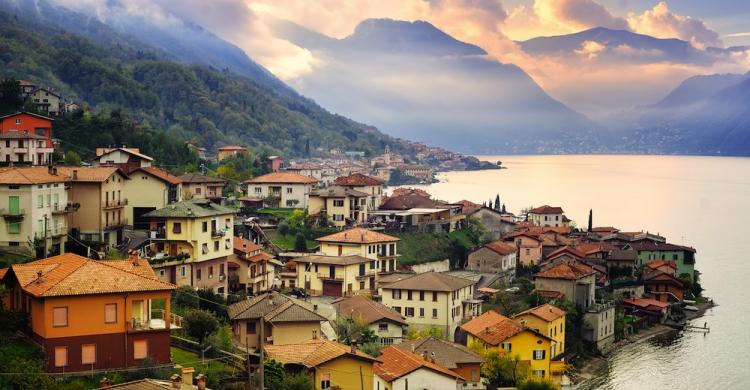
[(273, 307)]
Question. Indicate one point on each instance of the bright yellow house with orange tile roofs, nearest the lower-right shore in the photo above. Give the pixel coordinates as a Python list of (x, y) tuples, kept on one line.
[(495, 331)]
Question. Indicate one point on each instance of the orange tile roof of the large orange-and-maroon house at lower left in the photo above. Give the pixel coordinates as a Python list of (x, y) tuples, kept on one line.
[(69, 274)]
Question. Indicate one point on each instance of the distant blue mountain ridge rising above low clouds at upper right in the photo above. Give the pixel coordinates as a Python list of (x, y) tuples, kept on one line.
[(621, 45)]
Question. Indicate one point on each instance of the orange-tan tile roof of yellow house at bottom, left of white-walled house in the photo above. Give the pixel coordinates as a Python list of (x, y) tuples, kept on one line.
[(313, 353)]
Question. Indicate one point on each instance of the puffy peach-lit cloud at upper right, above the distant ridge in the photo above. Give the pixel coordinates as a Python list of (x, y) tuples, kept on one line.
[(663, 23)]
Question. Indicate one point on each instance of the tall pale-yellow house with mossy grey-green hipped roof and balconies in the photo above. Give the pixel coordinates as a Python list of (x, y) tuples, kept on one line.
[(191, 242)]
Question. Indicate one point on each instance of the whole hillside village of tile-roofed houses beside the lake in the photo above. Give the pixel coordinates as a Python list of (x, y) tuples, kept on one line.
[(313, 275)]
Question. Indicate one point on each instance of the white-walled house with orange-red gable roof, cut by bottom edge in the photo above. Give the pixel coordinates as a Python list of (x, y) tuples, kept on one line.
[(400, 369)]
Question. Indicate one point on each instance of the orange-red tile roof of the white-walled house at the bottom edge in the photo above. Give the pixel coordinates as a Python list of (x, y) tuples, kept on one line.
[(395, 363)]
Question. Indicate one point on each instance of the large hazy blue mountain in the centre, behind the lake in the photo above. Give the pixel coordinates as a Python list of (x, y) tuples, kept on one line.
[(413, 80)]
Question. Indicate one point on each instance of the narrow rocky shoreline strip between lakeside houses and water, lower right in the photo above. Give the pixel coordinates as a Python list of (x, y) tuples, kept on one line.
[(592, 367)]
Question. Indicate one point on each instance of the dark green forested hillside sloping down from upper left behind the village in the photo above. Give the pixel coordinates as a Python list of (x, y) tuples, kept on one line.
[(191, 102)]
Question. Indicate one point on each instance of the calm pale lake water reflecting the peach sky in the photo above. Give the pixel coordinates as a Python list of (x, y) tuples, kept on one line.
[(703, 202)]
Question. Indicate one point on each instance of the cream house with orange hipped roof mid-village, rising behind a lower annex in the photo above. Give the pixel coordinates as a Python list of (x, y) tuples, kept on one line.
[(363, 242)]
